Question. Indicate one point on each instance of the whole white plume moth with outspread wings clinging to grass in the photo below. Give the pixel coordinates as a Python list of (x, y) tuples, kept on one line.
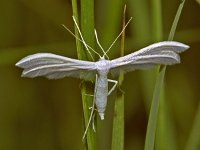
[(55, 67)]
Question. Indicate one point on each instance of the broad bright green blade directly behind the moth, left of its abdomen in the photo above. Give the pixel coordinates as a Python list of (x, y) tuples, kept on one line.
[(87, 28)]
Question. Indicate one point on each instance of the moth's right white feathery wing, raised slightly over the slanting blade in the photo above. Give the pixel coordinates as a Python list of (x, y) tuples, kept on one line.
[(162, 53)]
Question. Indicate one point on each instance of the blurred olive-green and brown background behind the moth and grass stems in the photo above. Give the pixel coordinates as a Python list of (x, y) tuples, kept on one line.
[(41, 114)]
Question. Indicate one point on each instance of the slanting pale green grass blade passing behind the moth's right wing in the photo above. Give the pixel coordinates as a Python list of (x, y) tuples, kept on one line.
[(152, 123)]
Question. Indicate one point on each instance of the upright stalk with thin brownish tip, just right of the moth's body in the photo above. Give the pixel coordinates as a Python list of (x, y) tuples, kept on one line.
[(118, 120)]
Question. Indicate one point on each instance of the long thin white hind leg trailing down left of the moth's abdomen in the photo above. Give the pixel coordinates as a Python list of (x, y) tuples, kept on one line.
[(91, 114)]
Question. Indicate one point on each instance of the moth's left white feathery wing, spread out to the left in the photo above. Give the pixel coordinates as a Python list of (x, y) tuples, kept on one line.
[(55, 67)]
